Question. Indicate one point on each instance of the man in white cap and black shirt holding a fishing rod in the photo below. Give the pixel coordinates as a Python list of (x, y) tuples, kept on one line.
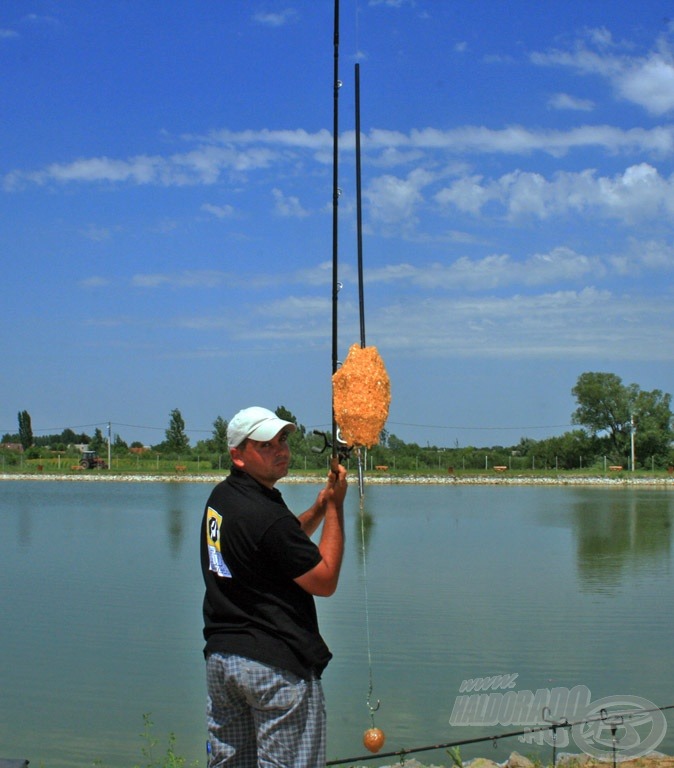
[(264, 652)]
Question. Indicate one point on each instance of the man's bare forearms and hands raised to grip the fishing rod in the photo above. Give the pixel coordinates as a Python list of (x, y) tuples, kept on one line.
[(322, 579)]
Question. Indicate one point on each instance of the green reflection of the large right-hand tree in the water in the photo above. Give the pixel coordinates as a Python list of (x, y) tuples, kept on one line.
[(616, 533)]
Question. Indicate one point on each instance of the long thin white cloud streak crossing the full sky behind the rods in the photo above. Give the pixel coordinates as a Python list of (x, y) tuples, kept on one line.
[(226, 155)]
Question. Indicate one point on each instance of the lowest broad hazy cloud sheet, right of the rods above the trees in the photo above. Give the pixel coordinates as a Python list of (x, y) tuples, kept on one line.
[(586, 324)]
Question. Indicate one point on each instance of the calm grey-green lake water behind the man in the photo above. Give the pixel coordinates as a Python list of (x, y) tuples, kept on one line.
[(101, 600)]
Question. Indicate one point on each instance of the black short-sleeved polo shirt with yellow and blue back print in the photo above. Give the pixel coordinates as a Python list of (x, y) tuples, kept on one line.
[(252, 549)]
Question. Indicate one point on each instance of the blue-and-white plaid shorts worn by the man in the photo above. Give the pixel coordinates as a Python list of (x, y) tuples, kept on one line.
[(263, 717)]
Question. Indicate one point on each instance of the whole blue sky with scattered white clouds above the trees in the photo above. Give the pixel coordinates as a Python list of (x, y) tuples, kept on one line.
[(166, 209)]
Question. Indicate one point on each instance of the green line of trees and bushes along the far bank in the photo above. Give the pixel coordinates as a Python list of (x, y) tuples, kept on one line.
[(616, 422)]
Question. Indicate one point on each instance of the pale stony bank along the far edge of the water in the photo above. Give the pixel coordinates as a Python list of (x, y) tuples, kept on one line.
[(622, 481)]
